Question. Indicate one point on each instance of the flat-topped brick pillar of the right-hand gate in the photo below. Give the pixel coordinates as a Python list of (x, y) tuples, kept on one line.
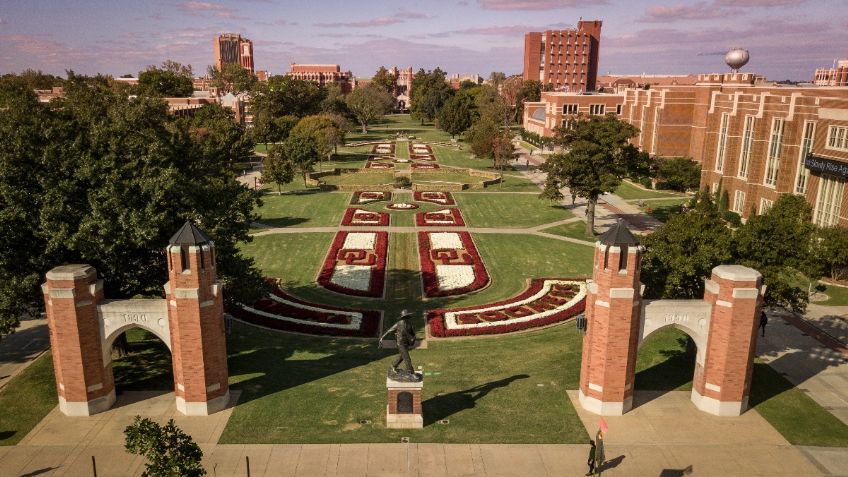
[(722, 387)]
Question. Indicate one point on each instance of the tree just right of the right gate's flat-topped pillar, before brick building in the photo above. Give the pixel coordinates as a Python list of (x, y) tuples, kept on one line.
[(780, 244)]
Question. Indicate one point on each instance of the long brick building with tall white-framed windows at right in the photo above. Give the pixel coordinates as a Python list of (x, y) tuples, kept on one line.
[(758, 140)]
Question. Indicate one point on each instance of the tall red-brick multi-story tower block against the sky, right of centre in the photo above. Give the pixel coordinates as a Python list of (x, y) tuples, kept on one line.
[(565, 59)]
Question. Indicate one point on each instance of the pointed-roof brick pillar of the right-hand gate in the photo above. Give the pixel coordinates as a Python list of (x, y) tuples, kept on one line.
[(613, 319)]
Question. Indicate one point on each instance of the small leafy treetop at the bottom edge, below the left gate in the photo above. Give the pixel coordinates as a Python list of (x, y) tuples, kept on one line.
[(170, 451)]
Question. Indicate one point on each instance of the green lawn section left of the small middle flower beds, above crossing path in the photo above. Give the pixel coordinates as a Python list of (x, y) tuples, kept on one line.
[(318, 209)]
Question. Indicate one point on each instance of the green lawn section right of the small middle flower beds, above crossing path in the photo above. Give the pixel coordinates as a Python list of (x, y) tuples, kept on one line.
[(515, 210)]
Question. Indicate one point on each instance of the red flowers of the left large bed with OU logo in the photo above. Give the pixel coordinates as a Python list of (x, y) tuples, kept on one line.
[(374, 258)]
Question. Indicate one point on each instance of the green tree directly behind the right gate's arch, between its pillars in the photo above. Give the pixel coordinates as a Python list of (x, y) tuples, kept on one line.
[(682, 253)]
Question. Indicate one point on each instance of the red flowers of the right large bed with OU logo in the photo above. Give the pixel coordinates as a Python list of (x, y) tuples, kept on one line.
[(468, 255)]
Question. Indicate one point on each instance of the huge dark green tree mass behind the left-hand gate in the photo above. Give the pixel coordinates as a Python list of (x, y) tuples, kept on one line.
[(95, 177)]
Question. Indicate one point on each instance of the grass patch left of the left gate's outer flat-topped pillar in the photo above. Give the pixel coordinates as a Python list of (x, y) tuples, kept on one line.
[(27, 398)]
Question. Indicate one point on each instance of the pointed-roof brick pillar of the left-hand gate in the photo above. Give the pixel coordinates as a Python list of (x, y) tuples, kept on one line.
[(196, 319)]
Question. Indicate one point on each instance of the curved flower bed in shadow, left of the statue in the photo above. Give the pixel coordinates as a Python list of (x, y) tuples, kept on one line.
[(284, 312)]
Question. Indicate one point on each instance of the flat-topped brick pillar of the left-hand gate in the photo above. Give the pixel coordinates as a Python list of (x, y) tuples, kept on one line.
[(83, 369)]
